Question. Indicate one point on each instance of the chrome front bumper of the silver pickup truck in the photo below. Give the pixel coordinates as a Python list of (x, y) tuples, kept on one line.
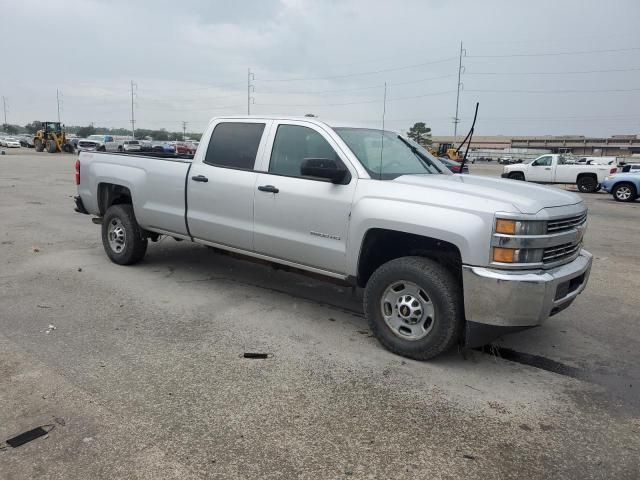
[(520, 299)]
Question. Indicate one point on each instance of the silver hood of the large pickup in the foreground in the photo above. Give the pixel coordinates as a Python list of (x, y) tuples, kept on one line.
[(525, 197)]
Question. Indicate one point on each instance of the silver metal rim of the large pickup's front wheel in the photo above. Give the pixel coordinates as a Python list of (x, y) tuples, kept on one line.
[(407, 310)]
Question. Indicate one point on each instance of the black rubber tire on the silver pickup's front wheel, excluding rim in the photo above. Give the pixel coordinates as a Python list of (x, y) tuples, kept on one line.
[(441, 288)]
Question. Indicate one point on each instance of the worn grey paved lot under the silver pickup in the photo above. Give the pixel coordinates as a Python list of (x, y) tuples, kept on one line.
[(142, 376)]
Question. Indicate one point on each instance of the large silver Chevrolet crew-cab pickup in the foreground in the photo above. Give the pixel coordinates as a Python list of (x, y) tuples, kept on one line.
[(443, 259)]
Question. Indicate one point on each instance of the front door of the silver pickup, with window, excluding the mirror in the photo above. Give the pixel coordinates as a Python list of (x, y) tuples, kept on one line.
[(301, 219)]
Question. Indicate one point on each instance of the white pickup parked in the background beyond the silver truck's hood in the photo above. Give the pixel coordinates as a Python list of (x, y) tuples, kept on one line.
[(554, 168)]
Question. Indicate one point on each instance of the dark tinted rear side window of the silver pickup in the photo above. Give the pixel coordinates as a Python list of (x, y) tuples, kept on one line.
[(234, 145)]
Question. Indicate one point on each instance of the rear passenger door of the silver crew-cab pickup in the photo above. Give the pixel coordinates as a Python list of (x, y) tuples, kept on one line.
[(222, 182)]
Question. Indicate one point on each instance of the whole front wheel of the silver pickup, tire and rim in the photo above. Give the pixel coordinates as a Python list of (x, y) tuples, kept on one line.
[(414, 307)]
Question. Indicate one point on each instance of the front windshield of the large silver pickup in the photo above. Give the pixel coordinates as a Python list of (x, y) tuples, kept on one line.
[(388, 156)]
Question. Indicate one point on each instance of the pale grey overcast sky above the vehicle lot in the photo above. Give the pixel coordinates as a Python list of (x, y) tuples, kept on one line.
[(544, 67)]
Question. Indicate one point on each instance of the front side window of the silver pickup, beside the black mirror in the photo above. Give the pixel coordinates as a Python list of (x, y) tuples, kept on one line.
[(293, 144)]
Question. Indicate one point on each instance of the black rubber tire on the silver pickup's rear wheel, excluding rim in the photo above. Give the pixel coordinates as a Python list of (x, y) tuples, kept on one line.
[(134, 244)]
